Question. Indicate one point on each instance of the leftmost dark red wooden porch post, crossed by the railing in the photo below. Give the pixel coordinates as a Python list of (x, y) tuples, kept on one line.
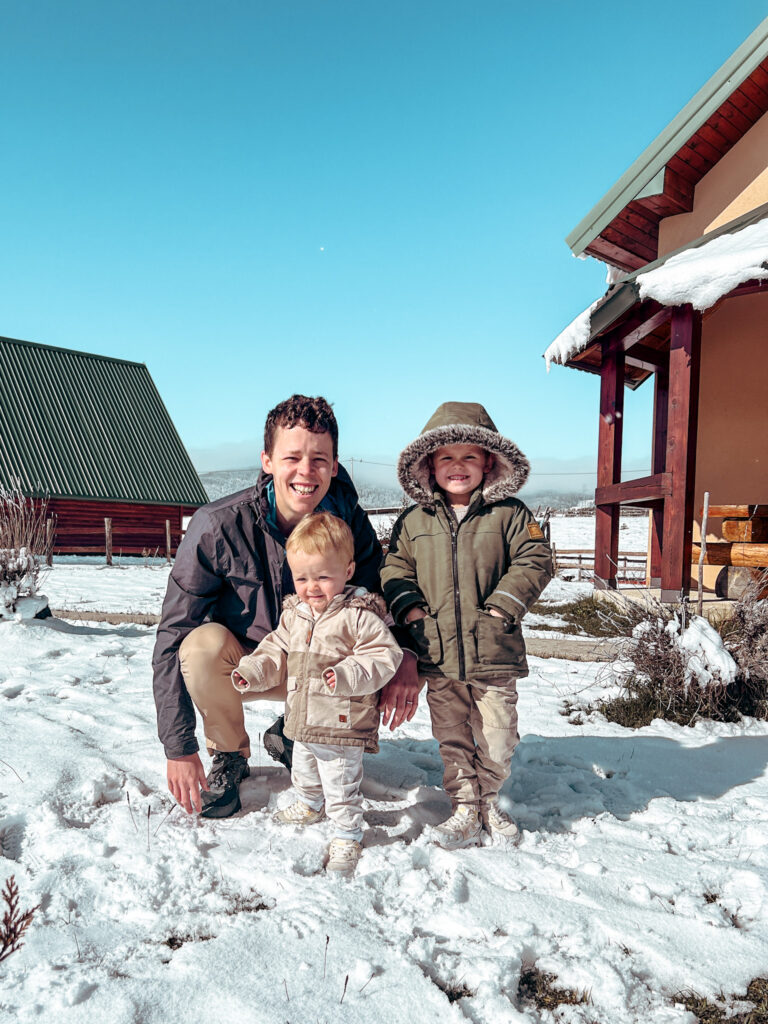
[(609, 464)]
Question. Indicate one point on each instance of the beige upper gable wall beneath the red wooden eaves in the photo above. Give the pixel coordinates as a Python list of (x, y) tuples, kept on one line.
[(738, 184)]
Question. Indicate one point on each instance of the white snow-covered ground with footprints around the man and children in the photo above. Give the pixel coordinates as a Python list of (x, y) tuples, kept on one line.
[(643, 870)]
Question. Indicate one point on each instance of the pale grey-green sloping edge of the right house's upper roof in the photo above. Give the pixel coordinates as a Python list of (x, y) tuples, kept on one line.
[(736, 70)]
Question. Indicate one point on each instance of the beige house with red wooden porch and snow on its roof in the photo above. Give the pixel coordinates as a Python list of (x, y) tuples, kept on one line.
[(686, 235)]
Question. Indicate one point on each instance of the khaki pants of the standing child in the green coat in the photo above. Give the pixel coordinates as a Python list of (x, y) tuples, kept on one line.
[(476, 726)]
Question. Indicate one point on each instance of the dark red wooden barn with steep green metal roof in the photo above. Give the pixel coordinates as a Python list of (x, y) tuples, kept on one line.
[(92, 437)]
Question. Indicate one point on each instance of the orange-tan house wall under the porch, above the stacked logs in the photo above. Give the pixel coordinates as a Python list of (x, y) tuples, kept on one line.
[(733, 439)]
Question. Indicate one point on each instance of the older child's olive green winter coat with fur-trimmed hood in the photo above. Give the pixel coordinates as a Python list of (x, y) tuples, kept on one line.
[(495, 558)]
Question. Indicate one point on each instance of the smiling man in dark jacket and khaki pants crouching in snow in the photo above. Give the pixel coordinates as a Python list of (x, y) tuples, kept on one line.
[(225, 595)]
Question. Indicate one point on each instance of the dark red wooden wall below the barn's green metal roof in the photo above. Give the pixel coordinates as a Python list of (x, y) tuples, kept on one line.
[(137, 529)]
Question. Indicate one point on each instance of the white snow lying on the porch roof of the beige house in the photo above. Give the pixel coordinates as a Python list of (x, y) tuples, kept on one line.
[(701, 276)]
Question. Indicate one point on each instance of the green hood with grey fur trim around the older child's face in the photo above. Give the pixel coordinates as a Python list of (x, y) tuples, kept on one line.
[(462, 423)]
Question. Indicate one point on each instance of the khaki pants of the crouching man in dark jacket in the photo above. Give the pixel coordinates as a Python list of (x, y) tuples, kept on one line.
[(207, 657)]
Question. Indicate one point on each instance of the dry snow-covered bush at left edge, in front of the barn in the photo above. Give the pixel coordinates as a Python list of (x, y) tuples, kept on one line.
[(23, 546)]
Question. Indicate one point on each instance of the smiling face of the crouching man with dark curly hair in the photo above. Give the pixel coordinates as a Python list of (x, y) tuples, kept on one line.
[(303, 466)]
